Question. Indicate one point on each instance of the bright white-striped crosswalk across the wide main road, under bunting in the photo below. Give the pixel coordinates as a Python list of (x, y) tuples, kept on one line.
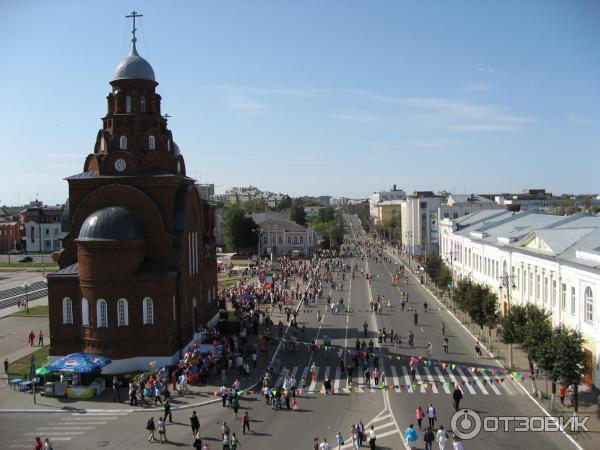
[(397, 378)]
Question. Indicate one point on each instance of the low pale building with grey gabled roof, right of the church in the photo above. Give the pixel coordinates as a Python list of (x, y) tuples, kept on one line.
[(285, 238)]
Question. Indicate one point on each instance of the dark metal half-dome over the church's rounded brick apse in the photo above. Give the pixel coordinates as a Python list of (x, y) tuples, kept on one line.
[(113, 223)]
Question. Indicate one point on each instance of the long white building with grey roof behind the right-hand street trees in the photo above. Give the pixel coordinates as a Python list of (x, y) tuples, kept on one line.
[(552, 261)]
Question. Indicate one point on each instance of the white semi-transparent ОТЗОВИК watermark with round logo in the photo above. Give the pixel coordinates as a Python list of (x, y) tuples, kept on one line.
[(467, 423)]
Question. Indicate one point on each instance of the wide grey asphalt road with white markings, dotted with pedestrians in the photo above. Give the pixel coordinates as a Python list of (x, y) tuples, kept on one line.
[(389, 411)]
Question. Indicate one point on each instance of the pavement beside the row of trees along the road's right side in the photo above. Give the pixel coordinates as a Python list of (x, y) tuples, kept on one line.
[(588, 397)]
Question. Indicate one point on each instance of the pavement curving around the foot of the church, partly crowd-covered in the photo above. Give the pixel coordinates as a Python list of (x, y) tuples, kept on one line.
[(13, 400)]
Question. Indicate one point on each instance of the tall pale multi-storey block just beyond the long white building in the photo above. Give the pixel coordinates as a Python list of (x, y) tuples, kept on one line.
[(419, 218)]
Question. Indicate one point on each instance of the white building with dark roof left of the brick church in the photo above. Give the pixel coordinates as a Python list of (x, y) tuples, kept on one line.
[(40, 228)]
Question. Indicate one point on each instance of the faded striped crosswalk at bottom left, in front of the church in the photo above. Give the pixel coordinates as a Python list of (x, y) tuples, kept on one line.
[(68, 426)]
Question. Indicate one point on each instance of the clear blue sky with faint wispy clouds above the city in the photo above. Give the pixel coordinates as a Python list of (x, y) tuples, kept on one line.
[(338, 98)]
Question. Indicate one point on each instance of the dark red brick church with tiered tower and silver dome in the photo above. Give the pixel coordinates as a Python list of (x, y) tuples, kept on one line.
[(138, 270)]
